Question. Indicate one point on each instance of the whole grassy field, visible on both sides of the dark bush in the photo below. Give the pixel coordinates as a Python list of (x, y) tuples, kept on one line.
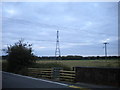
[(69, 64)]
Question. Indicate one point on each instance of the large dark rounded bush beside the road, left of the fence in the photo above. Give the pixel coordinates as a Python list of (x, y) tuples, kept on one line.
[(19, 56)]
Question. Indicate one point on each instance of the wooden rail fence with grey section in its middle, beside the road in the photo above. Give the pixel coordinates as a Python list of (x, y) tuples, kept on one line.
[(53, 73)]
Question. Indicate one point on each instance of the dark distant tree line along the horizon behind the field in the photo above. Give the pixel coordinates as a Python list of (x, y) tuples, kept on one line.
[(71, 57)]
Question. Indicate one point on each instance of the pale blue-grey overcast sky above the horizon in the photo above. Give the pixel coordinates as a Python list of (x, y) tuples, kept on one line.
[(83, 26)]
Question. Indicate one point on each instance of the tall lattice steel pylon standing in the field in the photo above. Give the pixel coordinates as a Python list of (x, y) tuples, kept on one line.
[(57, 50)]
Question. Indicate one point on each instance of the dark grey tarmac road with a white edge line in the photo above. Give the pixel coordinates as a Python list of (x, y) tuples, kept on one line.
[(10, 80)]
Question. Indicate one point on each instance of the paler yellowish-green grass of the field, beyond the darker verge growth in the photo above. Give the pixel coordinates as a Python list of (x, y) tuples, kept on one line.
[(91, 63)]
